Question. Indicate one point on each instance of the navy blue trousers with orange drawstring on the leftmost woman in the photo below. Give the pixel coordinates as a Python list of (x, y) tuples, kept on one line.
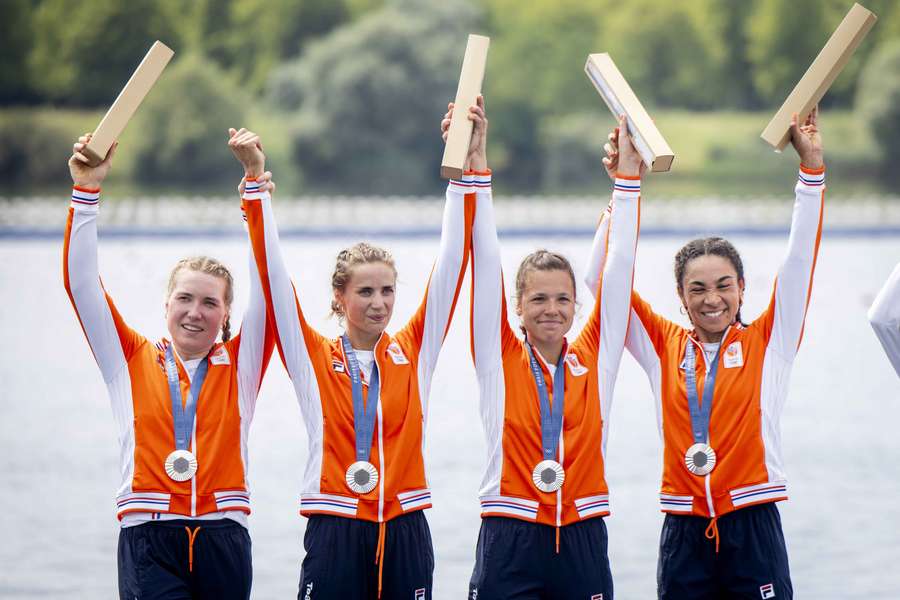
[(155, 561)]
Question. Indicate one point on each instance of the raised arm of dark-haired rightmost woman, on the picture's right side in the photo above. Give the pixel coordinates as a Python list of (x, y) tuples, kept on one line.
[(784, 319)]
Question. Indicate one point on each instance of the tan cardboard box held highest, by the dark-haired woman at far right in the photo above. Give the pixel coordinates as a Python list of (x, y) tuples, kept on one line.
[(820, 75)]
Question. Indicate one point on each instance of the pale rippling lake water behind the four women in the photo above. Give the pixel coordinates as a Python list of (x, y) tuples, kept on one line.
[(59, 449)]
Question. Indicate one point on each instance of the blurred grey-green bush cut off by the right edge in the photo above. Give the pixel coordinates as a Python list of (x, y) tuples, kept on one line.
[(878, 105)]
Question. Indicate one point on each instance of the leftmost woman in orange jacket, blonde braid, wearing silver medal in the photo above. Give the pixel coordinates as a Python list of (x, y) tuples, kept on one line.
[(183, 408)]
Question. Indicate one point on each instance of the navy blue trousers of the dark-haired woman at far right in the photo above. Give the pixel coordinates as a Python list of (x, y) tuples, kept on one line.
[(751, 563)]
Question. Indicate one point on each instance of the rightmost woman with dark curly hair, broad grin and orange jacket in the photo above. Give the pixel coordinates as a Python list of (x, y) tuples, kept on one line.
[(720, 387)]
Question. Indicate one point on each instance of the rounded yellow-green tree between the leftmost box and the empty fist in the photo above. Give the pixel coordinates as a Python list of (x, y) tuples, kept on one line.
[(184, 125)]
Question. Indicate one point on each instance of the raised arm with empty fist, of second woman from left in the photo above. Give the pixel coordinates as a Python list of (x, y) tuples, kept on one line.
[(296, 340)]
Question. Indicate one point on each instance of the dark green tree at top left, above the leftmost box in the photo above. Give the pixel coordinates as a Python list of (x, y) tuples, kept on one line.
[(85, 51)]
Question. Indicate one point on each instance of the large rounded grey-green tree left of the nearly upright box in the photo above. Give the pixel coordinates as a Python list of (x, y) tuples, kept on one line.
[(368, 98)]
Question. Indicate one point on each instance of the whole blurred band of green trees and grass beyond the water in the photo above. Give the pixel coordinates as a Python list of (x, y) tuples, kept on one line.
[(348, 93)]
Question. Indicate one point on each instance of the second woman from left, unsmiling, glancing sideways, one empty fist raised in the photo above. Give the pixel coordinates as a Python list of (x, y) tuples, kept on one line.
[(364, 397)]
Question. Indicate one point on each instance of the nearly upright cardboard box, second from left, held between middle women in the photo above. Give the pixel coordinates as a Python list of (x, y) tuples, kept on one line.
[(460, 132)]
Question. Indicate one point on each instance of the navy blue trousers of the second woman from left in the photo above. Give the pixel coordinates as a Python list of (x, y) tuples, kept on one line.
[(340, 559)]
